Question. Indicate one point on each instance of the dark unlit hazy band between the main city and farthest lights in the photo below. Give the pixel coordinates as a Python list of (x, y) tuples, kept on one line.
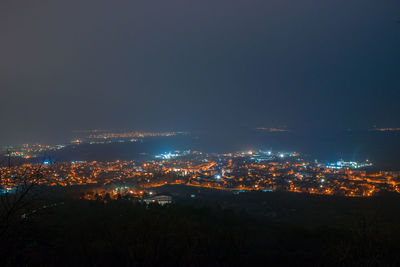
[(382, 148)]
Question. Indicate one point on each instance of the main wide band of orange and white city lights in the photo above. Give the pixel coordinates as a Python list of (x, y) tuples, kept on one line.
[(236, 172)]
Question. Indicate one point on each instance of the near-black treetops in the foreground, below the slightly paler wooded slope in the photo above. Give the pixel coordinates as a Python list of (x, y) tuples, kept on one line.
[(127, 233)]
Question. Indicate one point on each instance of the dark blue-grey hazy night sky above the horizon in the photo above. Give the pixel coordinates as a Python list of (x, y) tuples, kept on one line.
[(191, 65)]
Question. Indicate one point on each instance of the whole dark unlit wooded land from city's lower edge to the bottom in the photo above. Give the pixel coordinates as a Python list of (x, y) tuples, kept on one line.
[(212, 229)]
